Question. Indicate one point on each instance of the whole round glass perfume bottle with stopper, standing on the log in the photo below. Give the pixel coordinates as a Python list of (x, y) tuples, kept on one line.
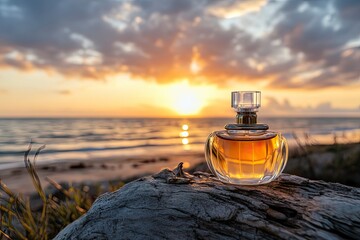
[(246, 153)]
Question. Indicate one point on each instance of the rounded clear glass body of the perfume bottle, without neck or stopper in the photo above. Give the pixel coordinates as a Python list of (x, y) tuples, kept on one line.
[(246, 157)]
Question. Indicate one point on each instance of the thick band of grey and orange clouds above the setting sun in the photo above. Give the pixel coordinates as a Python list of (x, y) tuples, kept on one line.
[(307, 43)]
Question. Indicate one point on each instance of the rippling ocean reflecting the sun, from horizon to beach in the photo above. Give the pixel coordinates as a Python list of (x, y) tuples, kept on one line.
[(97, 138)]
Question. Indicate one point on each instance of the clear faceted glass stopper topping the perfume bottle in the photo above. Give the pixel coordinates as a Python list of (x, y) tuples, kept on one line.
[(246, 101)]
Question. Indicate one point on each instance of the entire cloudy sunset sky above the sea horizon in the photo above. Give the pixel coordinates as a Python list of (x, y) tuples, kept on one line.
[(171, 58)]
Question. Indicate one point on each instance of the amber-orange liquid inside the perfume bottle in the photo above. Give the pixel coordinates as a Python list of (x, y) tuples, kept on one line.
[(245, 159)]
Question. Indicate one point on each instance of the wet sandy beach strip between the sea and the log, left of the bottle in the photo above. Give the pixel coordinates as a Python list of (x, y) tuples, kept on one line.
[(92, 171)]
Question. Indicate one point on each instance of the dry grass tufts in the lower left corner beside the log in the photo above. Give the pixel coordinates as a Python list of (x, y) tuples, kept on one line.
[(19, 219)]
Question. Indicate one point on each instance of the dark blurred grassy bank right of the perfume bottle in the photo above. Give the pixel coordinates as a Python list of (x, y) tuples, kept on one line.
[(341, 161)]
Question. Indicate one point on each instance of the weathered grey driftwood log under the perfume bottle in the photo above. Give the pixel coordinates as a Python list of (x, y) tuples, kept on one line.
[(177, 205)]
